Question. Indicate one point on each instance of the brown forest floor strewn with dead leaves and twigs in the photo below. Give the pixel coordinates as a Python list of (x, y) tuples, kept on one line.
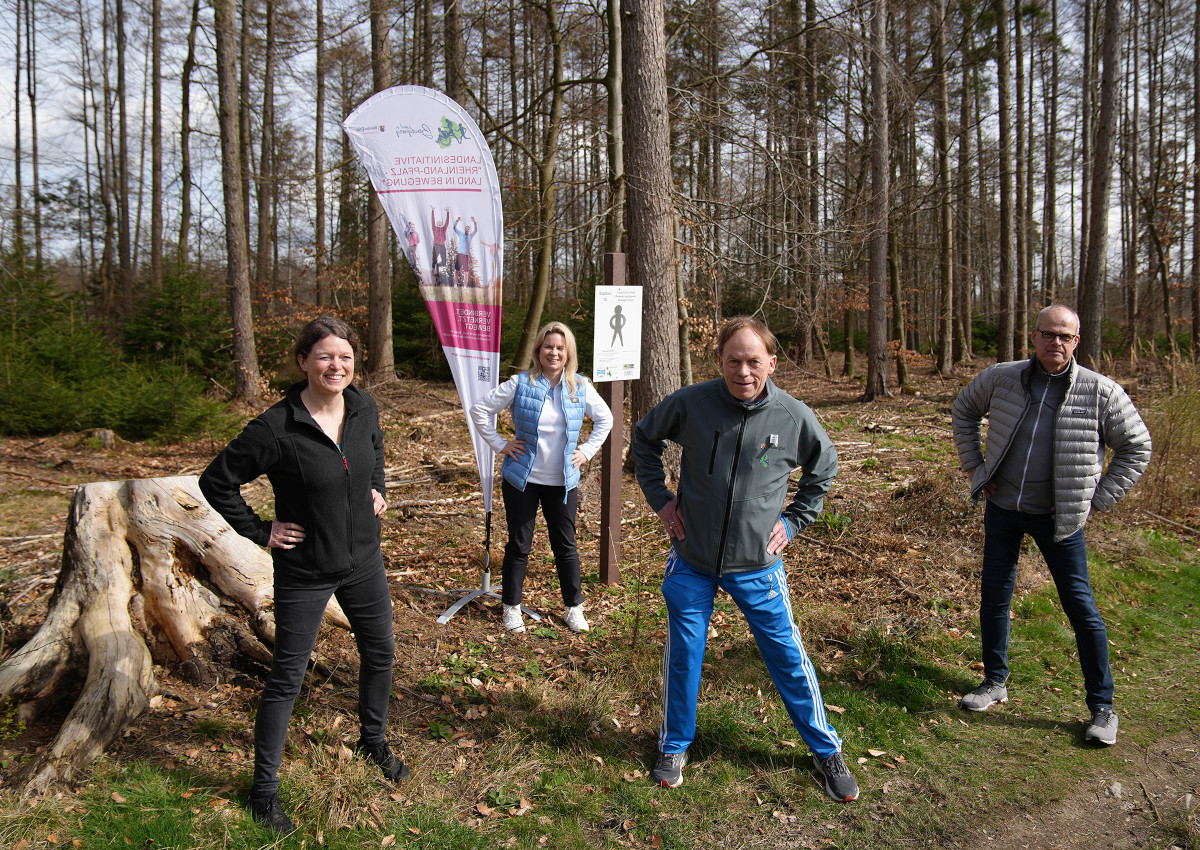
[(896, 550)]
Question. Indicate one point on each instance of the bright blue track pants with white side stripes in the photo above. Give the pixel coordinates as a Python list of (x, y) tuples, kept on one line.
[(766, 603)]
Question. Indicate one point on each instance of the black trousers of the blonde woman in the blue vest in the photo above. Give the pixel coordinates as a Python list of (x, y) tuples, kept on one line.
[(521, 511)]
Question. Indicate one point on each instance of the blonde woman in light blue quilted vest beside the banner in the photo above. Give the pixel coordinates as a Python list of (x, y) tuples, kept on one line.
[(542, 464)]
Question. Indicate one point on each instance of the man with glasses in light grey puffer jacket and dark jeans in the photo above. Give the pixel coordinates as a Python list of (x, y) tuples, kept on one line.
[(1049, 423)]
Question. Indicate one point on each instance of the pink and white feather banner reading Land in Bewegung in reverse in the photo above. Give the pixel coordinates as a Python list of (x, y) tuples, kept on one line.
[(436, 179)]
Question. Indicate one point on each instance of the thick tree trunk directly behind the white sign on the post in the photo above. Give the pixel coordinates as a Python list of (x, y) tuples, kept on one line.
[(649, 200)]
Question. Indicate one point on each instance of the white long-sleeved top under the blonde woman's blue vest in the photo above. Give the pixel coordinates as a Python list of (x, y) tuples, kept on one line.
[(548, 468)]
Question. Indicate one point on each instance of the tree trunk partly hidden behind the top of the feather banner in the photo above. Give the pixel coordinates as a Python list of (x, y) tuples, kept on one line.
[(381, 356)]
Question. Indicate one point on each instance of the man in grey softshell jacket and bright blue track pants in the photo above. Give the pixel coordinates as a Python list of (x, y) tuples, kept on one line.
[(729, 523)]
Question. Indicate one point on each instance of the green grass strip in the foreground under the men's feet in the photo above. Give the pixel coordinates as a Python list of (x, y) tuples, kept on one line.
[(561, 758)]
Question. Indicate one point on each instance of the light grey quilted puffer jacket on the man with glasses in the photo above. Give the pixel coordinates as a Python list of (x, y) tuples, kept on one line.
[(1095, 415)]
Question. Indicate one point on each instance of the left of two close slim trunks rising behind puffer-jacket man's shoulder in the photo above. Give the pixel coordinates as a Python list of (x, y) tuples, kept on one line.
[(1007, 225)]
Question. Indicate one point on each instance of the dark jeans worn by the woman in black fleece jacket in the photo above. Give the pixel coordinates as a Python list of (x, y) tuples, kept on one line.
[(299, 609)]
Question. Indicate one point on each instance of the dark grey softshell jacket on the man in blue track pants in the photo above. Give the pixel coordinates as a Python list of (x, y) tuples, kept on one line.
[(737, 462)]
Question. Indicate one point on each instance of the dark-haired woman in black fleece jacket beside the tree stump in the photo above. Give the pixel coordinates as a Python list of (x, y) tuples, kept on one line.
[(322, 451)]
